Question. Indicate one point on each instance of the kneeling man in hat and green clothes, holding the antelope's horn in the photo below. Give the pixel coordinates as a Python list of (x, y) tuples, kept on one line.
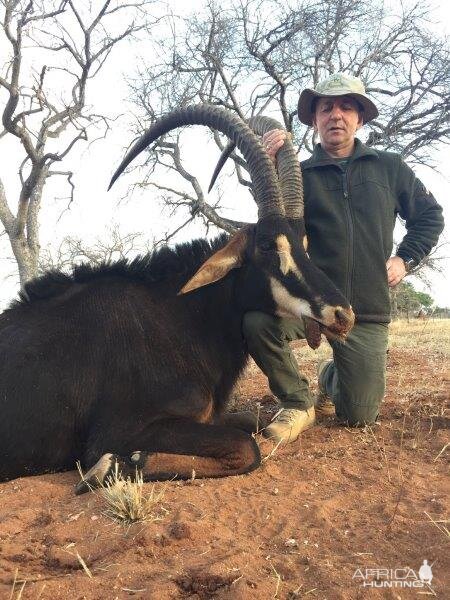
[(352, 196)]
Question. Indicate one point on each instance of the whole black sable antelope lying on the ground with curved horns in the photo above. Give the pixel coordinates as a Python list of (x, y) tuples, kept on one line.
[(134, 361)]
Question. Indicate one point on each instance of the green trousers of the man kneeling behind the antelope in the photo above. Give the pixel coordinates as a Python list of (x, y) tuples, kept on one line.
[(355, 380)]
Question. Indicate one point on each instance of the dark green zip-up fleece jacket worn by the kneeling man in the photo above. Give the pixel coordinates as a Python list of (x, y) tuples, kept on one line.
[(350, 217)]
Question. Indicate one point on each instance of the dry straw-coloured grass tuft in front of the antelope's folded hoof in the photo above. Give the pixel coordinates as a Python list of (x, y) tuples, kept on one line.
[(127, 501)]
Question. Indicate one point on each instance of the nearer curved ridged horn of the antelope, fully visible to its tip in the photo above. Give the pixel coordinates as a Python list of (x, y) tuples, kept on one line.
[(262, 172)]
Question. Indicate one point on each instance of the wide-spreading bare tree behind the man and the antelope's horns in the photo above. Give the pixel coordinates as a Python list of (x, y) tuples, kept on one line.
[(254, 56)]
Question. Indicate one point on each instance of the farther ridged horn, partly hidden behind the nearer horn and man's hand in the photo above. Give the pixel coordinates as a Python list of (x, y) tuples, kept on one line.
[(289, 172)]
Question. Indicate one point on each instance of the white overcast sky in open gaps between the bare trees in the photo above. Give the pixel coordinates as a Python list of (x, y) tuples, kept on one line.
[(94, 210)]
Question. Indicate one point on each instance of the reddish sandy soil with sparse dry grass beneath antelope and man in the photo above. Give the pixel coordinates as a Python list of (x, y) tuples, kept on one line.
[(335, 501)]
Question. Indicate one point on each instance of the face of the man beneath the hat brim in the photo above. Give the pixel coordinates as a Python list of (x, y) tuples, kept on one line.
[(337, 119)]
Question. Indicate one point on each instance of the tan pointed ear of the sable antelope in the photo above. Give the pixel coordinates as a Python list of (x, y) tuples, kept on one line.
[(220, 263)]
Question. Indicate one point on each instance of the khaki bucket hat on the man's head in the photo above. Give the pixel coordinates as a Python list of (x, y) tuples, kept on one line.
[(339, 84)]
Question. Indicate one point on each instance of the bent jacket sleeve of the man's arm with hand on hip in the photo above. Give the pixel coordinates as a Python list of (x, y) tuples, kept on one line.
[(422, 215)]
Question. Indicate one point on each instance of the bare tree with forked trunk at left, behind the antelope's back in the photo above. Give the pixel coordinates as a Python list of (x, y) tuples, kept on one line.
[(55, 48)]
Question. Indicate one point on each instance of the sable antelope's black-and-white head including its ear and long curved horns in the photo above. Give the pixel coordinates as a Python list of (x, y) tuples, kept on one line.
[(274, 273)]
